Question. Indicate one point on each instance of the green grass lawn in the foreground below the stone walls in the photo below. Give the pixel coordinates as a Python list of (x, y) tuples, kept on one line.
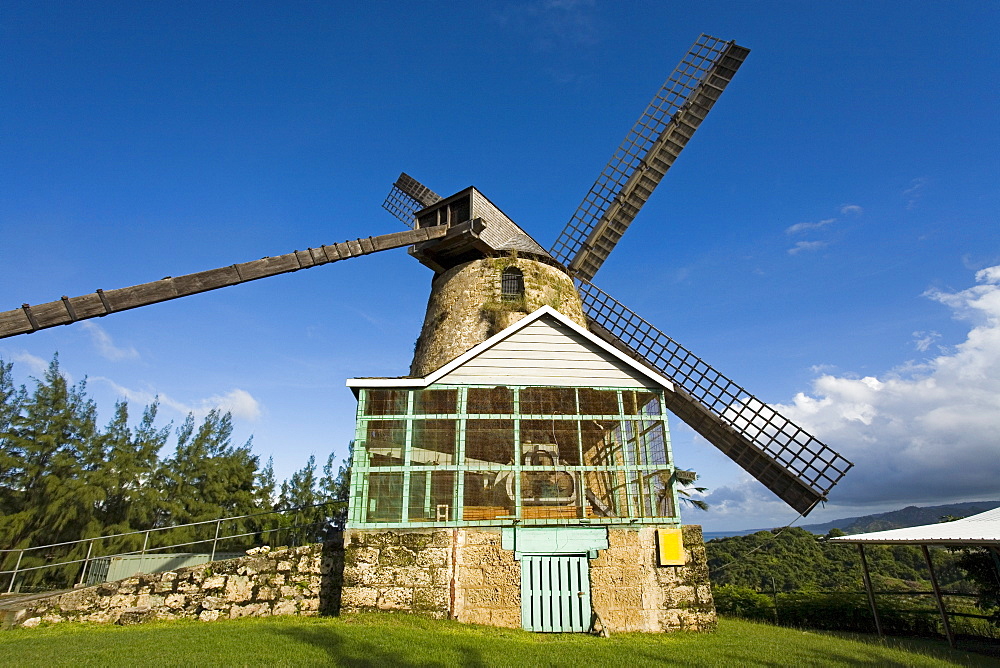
[(402, 640)]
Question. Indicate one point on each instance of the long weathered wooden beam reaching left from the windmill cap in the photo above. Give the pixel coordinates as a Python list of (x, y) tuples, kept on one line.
[(68, 310)]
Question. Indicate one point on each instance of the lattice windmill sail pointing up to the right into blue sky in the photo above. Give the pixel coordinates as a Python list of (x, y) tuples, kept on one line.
[(648, 151)]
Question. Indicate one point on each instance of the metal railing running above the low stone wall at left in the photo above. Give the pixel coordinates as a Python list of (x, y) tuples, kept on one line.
[(316, 525)]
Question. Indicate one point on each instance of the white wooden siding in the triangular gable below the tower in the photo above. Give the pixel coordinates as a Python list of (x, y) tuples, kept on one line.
[(546, 353)]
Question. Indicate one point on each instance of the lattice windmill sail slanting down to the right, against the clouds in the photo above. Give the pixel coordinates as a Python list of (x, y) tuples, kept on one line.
[(773, 449)]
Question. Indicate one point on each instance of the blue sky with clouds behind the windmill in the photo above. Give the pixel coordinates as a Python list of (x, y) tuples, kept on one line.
[(825, 239)]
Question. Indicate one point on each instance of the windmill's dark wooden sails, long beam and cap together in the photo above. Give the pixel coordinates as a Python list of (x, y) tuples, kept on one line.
[(449, 232)]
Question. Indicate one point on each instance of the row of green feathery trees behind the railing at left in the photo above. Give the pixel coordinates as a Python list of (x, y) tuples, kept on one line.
[(64, 477)]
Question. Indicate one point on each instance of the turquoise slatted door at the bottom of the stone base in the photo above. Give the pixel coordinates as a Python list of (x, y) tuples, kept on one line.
[(555, 593)]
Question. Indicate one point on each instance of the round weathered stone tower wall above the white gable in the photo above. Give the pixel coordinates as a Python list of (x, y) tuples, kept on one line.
[(465, 307)]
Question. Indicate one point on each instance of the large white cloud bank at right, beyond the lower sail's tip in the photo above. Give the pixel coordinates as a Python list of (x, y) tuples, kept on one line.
[(923, 432)]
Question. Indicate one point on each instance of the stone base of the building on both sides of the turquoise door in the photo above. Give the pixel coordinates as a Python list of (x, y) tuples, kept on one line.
[(464, 574)]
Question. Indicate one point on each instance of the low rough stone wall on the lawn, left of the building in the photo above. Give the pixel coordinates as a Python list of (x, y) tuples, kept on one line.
[(295, 581)]
